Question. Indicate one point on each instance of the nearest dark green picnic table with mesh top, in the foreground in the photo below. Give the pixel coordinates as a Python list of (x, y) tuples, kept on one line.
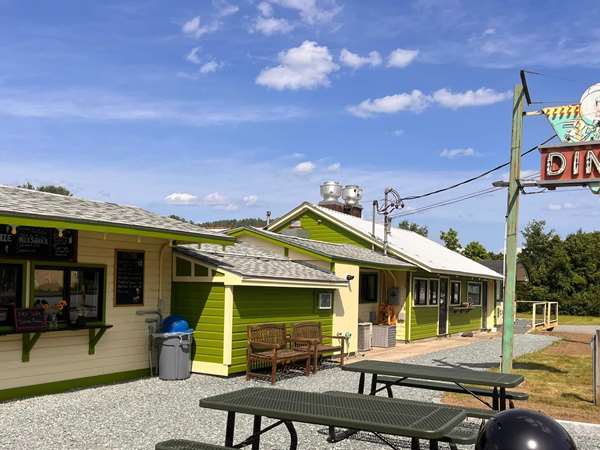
[(377, 415)]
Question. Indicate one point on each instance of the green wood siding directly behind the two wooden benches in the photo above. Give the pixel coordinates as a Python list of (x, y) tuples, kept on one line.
[(256, 305)]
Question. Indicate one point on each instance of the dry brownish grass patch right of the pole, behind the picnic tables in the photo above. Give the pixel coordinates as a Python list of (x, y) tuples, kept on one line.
[(557, 378)]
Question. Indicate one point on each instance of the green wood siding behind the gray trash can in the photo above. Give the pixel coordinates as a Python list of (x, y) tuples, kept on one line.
[(202, 304)]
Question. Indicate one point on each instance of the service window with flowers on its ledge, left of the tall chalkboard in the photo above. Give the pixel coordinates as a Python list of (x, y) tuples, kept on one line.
[(64, 290)]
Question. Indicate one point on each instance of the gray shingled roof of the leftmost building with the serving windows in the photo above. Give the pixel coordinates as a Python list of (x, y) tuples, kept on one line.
[(32, 204)]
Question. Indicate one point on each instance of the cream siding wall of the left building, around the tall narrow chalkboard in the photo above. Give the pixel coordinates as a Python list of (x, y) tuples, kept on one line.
[(64, 355)]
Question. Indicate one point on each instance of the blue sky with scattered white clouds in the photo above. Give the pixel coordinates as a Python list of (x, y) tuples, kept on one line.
[(214, 109)]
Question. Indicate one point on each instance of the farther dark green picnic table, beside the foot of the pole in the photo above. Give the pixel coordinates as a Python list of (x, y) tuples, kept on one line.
[(461, 377)]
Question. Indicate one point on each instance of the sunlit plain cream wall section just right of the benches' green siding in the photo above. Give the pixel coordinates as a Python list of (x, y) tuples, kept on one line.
[(345, 307)]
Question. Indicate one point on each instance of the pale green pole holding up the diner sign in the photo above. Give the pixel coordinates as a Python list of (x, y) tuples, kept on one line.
[(512, 230)]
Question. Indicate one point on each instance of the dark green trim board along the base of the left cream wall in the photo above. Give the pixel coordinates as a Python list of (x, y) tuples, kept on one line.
[(67, 385)]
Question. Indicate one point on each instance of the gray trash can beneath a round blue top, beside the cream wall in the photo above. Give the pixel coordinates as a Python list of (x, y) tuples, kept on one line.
[(174, 354)]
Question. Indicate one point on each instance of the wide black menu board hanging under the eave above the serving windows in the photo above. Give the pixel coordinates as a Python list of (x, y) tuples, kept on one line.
[(38, 243)]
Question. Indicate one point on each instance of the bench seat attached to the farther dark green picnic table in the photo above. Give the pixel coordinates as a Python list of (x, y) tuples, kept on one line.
[(511, 396)]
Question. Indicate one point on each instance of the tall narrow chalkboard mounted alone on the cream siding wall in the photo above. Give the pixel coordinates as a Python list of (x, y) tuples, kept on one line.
[(129, 274)]
